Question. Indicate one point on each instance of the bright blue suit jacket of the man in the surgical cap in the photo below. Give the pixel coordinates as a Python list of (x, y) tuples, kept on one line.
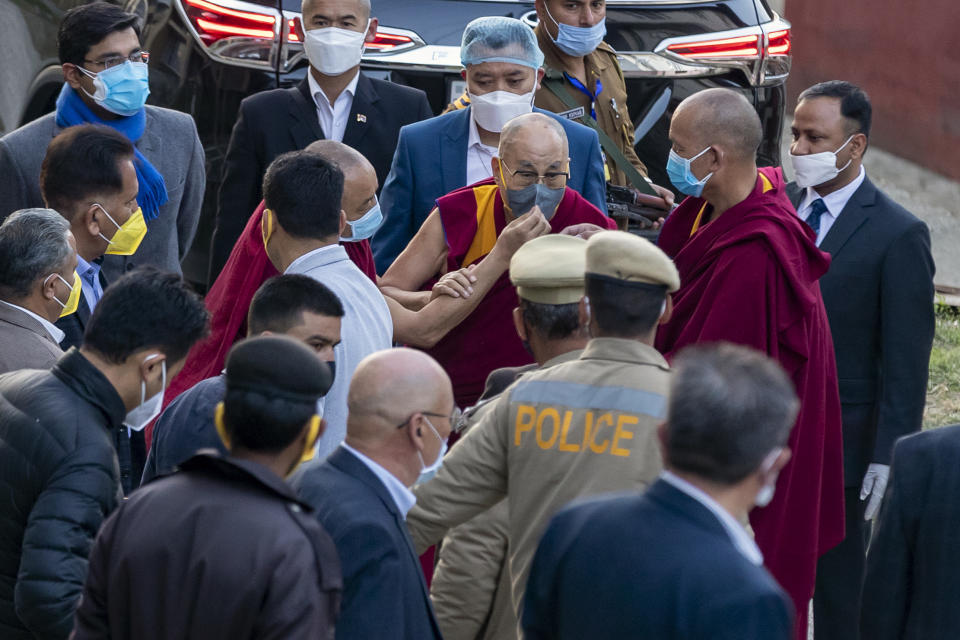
[(431, 161)]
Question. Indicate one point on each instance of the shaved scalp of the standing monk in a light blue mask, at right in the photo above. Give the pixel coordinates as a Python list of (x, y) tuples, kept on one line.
[(720, 117)]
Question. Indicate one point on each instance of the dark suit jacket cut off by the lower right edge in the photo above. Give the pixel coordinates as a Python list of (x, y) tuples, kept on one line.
[(912, 585)]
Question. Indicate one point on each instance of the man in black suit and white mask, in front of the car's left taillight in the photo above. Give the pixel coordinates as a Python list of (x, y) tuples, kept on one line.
[(335, 101)]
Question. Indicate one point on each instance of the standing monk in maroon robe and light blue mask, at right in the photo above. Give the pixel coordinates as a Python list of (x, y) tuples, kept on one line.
[(749, 269)]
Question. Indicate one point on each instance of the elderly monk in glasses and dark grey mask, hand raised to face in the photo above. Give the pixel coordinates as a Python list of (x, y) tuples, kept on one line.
[(529, 179)]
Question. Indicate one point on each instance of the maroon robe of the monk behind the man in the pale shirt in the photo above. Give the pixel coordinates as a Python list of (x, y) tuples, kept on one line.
[(229, 300)]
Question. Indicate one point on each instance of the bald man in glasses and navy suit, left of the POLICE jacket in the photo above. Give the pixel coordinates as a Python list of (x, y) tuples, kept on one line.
[(401, 413)]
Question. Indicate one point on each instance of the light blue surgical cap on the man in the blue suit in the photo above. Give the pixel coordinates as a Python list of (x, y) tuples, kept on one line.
[(499, 39)]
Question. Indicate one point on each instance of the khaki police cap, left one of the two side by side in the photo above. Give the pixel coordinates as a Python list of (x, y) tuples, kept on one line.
[(549, 269)]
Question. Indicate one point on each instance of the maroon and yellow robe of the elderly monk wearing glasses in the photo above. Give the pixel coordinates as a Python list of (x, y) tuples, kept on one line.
[(486, 339)]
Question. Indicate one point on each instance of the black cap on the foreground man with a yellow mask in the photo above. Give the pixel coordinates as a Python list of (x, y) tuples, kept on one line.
[(278, 366)]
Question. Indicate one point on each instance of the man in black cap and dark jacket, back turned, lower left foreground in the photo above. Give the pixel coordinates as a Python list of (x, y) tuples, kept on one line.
[(154, 573)]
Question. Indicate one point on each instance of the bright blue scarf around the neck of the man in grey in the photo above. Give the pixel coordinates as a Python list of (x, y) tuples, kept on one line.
[(72, 110)]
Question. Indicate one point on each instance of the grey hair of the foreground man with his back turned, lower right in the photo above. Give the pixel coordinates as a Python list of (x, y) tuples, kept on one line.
[(729, 407)]
